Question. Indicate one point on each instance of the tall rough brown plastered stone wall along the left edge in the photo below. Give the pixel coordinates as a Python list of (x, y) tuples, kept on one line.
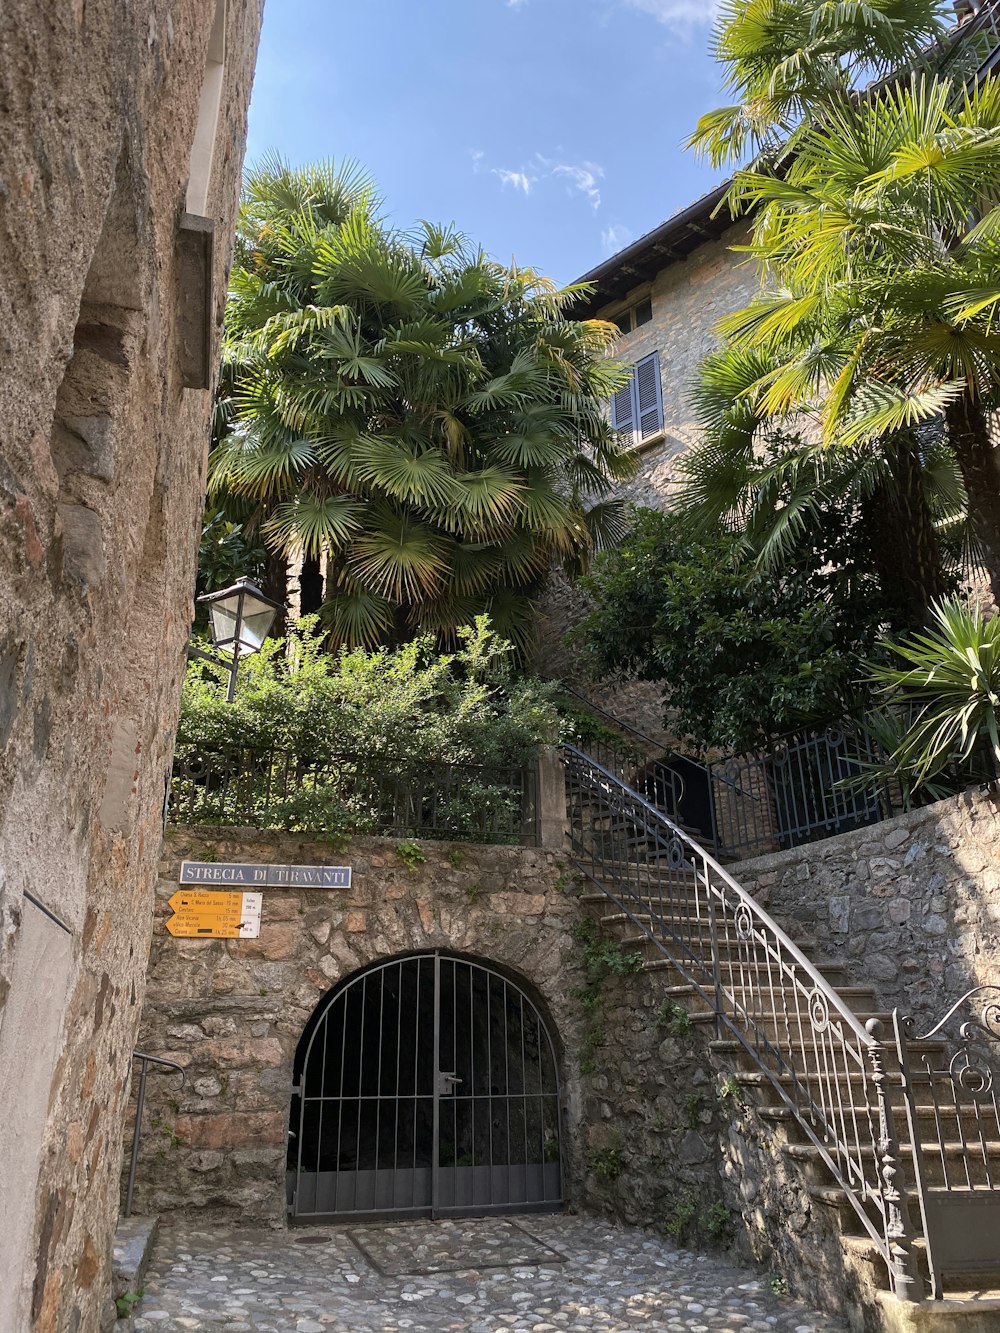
[(102, 470)]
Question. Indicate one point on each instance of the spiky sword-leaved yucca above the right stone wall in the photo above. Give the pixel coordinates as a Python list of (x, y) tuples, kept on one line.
[(951, 686)]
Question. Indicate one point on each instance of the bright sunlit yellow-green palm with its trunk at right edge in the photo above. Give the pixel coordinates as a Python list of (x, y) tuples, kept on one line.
[(885, 237)]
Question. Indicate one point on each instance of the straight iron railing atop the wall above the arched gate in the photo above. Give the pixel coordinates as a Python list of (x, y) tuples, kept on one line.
[(350, 794)]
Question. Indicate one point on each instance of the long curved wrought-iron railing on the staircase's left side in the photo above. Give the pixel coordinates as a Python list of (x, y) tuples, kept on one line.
[(755, 979)]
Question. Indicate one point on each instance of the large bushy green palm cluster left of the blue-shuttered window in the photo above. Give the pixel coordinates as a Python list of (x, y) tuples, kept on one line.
[(426, 422)]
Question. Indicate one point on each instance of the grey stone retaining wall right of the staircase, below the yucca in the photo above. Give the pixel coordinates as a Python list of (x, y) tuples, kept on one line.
[(911, 906)]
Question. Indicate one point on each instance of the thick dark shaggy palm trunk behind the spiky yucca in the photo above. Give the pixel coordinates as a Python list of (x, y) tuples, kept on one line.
[(906, 550)]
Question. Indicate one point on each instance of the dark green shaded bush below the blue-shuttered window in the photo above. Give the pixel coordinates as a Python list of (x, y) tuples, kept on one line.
[(743, 654)]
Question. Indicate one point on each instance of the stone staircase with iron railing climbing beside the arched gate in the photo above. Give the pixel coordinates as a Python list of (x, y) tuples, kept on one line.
[(813, 1054)]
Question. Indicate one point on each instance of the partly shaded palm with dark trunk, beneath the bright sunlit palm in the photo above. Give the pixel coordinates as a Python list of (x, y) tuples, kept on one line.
[(773, 481)]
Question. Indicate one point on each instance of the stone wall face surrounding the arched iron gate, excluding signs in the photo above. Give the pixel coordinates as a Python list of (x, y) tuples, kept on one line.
[(231, 1012)]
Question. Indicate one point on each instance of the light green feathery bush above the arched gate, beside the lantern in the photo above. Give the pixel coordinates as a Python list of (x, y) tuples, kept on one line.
[(349, 744)]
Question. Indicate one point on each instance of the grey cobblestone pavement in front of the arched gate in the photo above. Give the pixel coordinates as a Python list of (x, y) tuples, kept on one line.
[(583, 1276)]
